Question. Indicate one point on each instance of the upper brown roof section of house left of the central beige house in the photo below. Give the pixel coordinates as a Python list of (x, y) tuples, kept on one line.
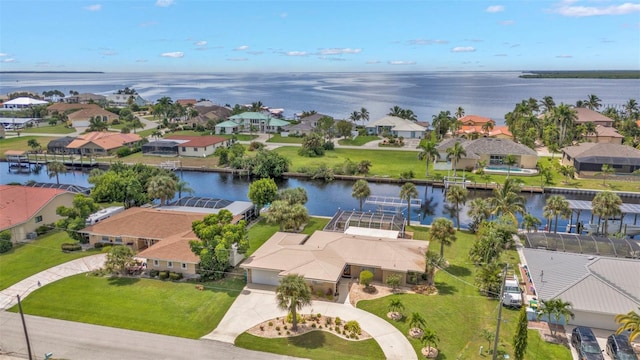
[(145, 223)]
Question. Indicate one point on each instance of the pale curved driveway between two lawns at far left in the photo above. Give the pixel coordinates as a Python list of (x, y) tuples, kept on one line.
[(26, 286)]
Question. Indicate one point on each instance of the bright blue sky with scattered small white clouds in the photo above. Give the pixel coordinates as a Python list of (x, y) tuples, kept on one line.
[(318, 36)]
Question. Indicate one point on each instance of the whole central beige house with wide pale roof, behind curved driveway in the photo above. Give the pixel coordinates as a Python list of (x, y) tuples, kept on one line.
[(324, 258)]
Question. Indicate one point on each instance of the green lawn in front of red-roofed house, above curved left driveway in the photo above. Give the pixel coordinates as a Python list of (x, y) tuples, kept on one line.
[(25, 260)]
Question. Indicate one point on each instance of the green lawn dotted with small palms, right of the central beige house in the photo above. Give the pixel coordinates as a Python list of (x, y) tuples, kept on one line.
[(459, 313)]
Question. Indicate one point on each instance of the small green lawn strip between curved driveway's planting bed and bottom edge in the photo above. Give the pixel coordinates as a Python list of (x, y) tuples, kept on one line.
[(317, 345)]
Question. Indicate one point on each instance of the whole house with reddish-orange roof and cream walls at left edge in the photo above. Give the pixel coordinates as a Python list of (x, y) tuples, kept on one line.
[(23, 209)]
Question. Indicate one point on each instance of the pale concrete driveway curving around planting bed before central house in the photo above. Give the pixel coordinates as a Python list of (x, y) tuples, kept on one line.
[(257, 304)]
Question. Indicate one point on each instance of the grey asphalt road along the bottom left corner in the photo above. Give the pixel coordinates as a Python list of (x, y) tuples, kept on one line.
[(72, 340)]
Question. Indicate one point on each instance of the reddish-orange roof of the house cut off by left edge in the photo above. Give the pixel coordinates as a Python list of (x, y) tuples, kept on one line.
[(20, 203)]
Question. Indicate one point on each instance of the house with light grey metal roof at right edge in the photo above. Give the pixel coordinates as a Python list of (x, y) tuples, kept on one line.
[(598, 287)]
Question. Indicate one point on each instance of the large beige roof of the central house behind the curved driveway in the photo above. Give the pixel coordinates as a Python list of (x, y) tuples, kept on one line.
[(324, 254)]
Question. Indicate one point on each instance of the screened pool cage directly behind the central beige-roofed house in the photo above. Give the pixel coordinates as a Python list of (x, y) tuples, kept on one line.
[(344, 219)]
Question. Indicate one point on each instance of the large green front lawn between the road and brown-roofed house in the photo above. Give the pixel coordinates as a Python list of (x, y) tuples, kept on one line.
[(161, 307)]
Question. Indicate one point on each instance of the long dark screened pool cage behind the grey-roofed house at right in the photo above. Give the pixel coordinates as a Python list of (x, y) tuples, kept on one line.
[(583, 244)]
